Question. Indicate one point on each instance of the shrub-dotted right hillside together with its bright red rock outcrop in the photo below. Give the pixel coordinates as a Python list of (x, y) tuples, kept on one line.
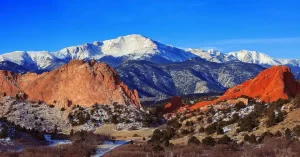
[(260, 115)]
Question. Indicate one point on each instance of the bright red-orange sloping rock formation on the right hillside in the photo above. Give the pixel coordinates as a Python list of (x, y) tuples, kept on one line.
[(270, 85)]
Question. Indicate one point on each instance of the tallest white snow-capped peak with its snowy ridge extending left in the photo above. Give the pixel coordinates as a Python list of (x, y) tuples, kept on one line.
[(115, 51)]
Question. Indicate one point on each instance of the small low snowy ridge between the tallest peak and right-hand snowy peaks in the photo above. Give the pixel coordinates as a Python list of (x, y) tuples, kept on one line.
[(212, 55)]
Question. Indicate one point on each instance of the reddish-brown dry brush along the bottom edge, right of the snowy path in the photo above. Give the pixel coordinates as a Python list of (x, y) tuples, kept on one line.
[(271, 147)]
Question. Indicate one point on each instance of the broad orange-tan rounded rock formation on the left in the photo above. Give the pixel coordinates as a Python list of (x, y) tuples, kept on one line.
[(74, 83)]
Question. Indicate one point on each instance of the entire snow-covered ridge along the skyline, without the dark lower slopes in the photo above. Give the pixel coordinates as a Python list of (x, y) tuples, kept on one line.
[(135, 47)]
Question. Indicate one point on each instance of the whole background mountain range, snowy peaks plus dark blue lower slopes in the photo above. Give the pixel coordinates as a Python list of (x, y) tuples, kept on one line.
[(153, 68)]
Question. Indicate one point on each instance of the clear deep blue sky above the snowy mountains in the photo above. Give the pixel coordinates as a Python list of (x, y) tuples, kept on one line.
[(270, 26)]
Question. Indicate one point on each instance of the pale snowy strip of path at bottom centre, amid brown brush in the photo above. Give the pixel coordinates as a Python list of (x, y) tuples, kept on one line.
[(108, 146)]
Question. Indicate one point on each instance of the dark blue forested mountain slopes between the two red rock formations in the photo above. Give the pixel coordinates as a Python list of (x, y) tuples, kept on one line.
[(193, 76)]
